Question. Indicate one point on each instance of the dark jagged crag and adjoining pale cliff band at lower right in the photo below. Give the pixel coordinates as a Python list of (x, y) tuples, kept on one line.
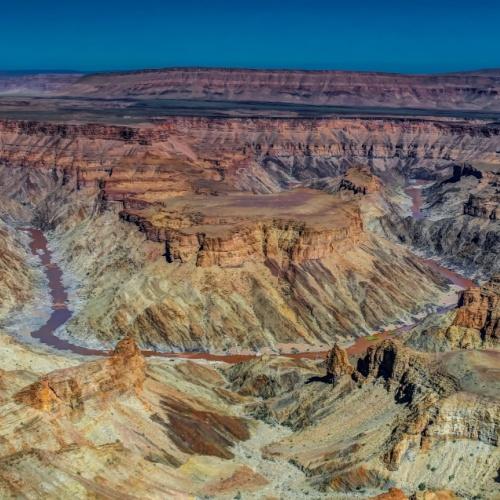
[(438, 410)]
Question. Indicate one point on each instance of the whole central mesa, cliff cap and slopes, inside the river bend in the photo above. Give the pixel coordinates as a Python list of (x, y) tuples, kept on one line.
[(254, 270)]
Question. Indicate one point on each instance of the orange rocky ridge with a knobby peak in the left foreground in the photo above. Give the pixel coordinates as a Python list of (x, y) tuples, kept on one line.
[(69, 389)]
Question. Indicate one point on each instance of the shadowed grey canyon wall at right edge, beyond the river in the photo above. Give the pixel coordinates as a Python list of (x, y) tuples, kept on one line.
[(459, 221)]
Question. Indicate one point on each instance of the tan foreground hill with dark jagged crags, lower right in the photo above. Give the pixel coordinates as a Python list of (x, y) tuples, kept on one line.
[(396, 417)]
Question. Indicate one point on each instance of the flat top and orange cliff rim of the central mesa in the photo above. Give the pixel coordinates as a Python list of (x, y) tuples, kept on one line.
[(234, 230)]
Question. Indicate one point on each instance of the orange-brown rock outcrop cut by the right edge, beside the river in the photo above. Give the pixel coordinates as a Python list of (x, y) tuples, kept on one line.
[(479, 309)]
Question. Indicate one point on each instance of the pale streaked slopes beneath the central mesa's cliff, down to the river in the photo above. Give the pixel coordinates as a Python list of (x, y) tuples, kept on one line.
[(182, 306)]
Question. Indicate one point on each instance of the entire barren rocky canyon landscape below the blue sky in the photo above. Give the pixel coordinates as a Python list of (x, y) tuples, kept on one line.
[(249, 306)]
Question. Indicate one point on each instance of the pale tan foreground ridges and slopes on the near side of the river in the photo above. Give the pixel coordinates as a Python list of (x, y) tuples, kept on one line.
[(161, 428)]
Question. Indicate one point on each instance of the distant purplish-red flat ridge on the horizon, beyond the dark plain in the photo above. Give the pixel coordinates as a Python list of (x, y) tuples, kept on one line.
[(459, 91)]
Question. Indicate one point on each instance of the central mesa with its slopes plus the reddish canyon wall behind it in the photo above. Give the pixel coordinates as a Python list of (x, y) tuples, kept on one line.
[(186, 184)]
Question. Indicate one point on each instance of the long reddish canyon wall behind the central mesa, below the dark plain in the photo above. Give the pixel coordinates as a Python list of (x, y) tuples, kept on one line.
[(258, 155)]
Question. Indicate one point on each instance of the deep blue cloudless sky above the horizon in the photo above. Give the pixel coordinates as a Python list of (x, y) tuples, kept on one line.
[(402, 36)]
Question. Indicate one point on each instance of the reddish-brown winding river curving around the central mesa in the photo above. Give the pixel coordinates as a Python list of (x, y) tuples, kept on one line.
[(61, 312)]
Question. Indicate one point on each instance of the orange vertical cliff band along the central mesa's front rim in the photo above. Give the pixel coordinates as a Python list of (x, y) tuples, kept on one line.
[(282, 241)]
